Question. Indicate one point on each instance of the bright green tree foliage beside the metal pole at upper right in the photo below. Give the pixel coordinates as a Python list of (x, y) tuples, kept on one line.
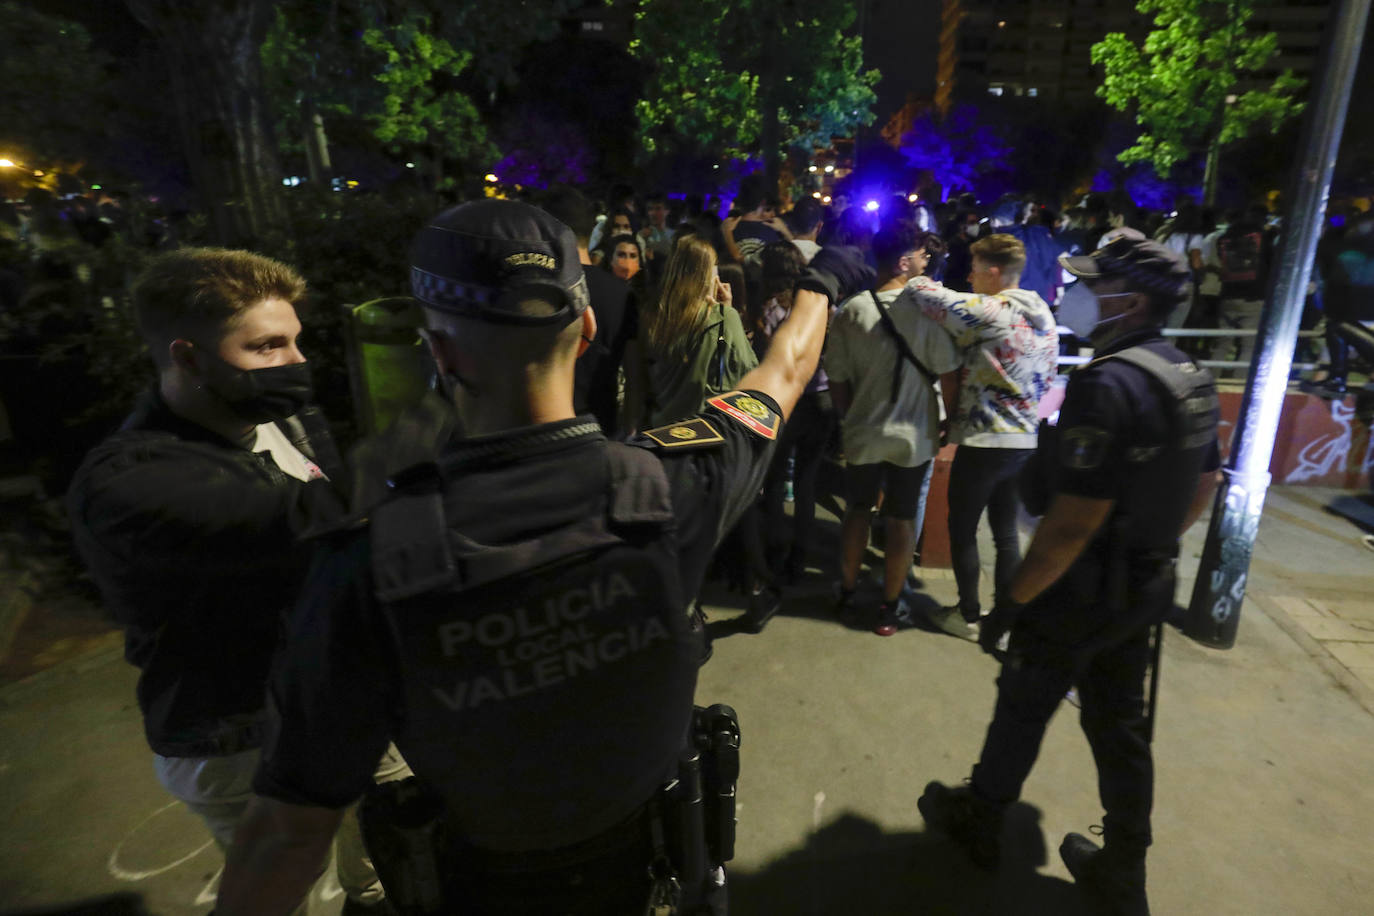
[(1182, 82)]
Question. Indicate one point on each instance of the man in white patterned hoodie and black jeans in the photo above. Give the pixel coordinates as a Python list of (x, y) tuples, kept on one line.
[(1011, 356)]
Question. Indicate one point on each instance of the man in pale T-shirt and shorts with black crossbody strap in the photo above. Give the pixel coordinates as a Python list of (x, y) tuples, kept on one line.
[(891, 415)]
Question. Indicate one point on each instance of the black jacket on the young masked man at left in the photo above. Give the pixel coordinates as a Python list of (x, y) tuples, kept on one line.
[(193, 542)]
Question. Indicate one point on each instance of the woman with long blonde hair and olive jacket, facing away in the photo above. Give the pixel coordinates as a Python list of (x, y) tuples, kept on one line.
[(695, 341)]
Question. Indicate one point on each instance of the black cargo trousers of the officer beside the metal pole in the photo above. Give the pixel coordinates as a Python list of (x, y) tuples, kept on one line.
[(1068, 639)]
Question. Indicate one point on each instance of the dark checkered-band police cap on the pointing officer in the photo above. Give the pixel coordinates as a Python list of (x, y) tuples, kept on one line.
[(497, 262)]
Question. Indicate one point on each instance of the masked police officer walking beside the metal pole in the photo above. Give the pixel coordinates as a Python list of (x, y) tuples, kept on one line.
[(1130, 468)]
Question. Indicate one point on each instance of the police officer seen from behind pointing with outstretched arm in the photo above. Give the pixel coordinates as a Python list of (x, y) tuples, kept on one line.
[(516, 617)]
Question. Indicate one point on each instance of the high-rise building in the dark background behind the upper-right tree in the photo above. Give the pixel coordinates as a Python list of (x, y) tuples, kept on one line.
[(1017, 47)]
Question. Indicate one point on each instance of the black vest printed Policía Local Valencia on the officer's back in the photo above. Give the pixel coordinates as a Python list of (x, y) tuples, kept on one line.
[(548, 683)]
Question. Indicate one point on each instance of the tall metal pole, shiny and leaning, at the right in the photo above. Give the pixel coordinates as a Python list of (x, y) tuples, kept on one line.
[(1215, 610)]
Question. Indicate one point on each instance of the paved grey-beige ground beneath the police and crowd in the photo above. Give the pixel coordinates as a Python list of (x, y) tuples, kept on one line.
[(1263, 807)]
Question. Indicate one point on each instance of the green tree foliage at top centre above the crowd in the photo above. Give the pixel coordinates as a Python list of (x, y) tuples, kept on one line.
[(722, 69)]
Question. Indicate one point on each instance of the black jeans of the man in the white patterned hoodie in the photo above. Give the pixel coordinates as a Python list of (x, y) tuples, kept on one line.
[(984, 479)]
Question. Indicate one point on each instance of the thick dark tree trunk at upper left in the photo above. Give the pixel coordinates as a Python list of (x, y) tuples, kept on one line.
[(212, 53)]
